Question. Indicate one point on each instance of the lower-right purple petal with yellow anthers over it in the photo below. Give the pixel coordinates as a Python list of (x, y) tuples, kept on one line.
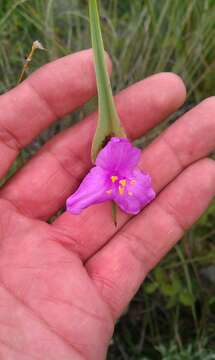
[(137, 193)]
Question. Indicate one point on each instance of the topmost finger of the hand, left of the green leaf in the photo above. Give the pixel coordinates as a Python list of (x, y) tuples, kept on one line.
[(51, 92)]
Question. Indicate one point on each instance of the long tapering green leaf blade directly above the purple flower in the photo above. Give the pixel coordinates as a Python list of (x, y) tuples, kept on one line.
[(108, 120)]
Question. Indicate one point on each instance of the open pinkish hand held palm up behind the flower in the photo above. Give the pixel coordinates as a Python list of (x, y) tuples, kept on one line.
[(63, 286)]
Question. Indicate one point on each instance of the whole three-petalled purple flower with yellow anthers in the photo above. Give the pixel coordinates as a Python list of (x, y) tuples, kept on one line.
[(115, 177)]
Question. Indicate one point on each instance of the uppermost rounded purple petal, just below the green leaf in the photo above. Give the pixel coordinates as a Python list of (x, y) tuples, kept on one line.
[(119, 156)]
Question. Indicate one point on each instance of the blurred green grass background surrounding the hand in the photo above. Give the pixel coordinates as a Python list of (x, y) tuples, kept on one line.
[(173, 315)]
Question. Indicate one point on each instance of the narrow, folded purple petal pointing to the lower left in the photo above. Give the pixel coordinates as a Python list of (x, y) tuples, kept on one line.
[(93, 190)]
